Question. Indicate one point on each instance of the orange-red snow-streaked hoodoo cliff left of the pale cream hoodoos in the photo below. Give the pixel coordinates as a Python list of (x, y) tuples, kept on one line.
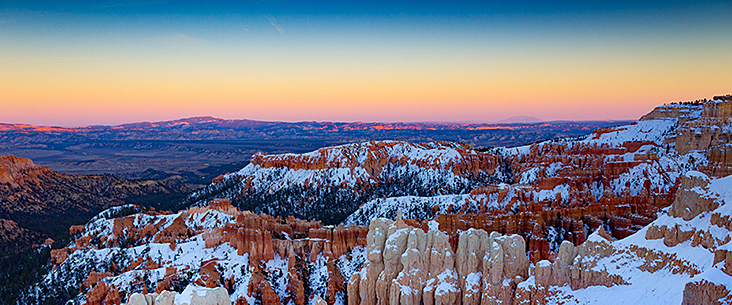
[(256, 258)]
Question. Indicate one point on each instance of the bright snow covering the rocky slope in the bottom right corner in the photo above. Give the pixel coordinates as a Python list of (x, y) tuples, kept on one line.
[(665, 285)]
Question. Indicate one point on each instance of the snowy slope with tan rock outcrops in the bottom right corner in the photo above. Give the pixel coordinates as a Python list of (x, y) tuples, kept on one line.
[(682, 257)]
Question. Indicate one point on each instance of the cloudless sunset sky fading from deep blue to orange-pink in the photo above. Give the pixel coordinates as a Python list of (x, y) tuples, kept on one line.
[(75, 63)]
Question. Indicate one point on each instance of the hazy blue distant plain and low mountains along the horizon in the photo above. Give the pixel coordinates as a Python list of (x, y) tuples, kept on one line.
[(194, 150)]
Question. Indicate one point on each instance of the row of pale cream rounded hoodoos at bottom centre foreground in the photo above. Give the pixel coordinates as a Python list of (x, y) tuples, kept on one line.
[(423, 268)]
